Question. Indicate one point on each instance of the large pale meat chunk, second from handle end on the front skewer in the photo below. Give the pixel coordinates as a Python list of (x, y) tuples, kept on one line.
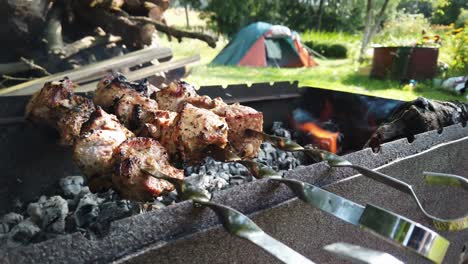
[(100, 135)]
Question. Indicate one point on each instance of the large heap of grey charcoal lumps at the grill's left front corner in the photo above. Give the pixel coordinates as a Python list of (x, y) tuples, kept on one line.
[(75, 209)]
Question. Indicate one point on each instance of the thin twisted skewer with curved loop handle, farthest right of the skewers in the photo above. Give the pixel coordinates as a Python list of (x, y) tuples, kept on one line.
[(334, 160)]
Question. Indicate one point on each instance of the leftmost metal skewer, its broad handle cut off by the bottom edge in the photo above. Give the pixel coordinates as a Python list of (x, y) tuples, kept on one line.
[(233, 221)]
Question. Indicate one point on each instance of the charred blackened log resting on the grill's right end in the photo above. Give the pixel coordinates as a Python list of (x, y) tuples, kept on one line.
[(418, 116)]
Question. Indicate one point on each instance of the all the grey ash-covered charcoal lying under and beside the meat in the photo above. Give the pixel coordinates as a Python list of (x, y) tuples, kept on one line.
[(76, 209)]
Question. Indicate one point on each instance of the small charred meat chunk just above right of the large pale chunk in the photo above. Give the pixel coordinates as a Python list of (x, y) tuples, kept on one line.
[(133, 108)]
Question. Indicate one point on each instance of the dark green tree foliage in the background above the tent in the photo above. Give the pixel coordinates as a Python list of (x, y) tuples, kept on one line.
[(228, 16)]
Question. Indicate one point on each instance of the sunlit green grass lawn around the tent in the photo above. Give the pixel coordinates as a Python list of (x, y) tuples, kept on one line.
[(342, 75)]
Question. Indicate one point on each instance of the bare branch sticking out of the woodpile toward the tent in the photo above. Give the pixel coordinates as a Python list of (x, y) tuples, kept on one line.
[(178, 34)]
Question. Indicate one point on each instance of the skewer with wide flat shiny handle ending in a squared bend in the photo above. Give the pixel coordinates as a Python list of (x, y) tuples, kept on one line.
[(392, 227)]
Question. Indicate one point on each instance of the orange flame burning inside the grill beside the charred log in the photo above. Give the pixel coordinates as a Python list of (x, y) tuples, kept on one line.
[(324, 139)]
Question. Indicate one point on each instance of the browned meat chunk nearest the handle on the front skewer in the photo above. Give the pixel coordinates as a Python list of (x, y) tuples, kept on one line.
[(135, 155)]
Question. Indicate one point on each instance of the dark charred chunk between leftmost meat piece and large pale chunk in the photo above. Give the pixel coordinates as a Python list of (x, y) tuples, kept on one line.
[(72, 117)]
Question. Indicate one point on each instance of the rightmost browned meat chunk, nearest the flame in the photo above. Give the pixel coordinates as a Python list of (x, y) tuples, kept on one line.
[(239, 118)]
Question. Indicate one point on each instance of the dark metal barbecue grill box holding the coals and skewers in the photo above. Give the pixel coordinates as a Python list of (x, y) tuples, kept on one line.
[(179, 233)]
